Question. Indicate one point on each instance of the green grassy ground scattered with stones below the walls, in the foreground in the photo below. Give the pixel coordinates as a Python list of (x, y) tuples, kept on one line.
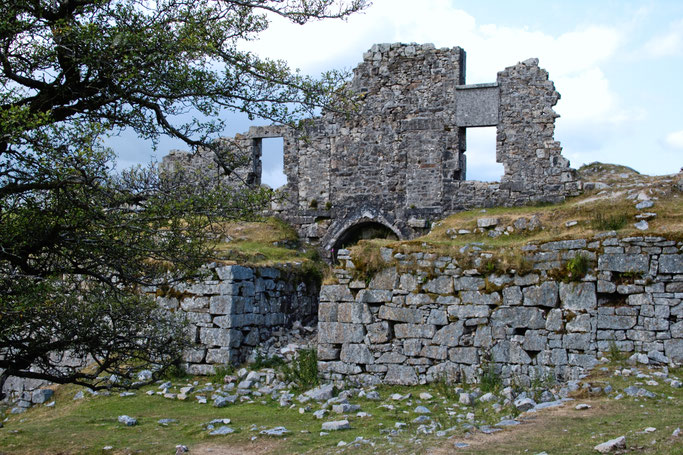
[(87, 426)]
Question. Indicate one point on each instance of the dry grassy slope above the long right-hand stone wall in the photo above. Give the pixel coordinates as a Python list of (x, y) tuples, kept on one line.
[(592, 212)]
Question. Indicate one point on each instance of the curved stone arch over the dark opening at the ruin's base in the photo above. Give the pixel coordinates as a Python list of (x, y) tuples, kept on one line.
[(358, 219)]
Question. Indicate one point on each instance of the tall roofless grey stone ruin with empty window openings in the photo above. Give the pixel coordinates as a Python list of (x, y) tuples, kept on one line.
[(399, 162)]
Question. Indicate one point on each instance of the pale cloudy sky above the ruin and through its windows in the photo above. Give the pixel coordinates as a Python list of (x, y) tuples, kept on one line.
[(617, 64)]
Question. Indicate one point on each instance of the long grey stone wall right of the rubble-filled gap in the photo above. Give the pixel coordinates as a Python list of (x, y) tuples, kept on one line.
[(425, 316)]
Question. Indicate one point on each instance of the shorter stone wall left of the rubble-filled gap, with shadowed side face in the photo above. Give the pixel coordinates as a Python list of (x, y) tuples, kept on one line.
[(238, 309)]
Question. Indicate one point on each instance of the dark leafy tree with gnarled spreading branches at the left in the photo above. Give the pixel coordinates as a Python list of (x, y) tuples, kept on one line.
[(77, 239)]
